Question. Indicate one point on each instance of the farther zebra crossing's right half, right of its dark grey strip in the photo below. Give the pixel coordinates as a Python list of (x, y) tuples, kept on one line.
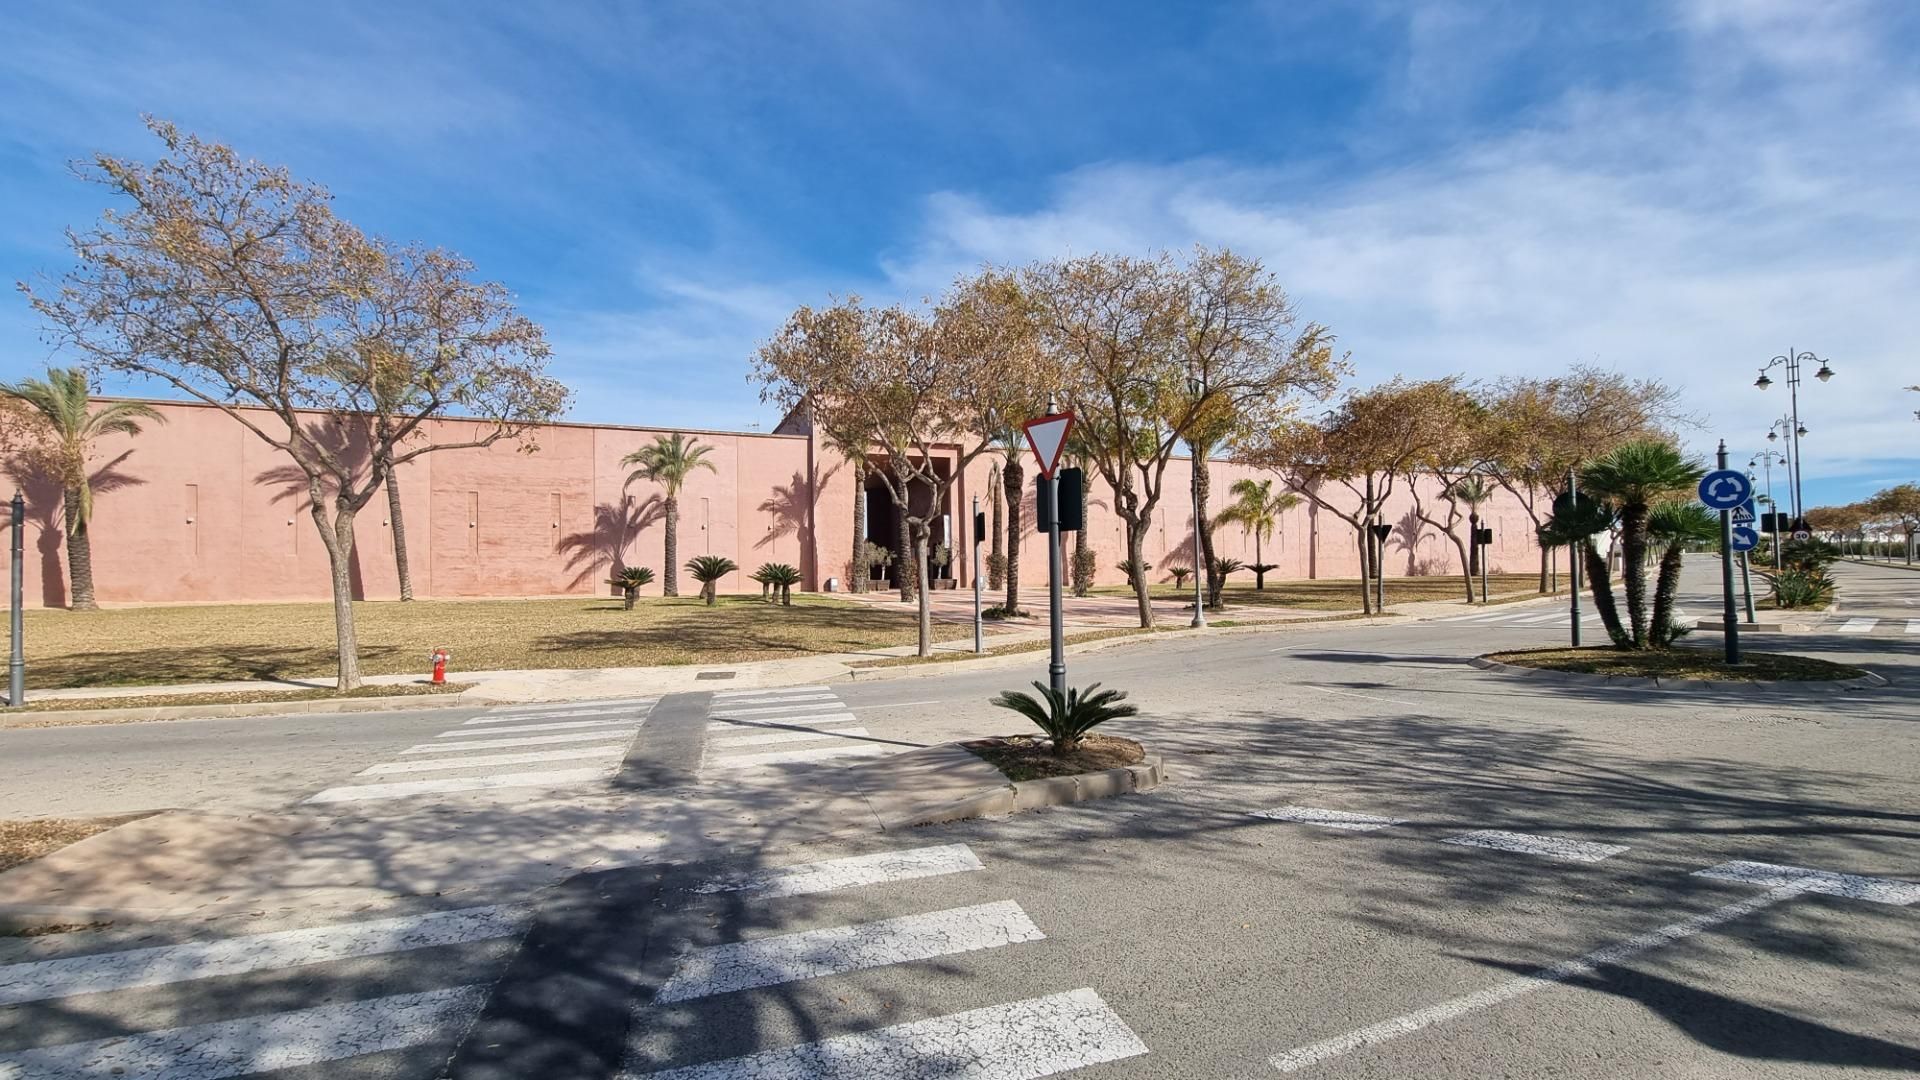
[(792, 725)]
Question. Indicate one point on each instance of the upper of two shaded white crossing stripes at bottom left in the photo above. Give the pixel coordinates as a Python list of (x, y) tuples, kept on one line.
[(101, 973)]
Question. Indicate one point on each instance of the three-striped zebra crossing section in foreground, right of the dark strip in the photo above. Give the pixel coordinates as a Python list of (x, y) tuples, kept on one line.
[(994, 1041)]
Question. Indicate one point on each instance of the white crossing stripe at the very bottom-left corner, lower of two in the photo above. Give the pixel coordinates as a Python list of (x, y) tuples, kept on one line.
[(258, 1044)]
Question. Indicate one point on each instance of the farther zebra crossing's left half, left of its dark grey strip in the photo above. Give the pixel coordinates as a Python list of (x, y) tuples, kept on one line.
[(510, 749)]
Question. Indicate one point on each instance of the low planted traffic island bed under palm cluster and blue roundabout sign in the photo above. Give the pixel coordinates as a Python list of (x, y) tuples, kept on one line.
[(1677, 668)]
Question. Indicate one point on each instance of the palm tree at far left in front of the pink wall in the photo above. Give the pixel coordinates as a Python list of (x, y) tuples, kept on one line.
[(64, 403)]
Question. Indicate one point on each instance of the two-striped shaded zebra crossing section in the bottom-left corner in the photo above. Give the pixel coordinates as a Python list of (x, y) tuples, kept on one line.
[(373, 998)]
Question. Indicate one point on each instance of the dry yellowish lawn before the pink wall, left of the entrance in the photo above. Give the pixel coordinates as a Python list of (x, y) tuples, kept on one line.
[(135, 647)]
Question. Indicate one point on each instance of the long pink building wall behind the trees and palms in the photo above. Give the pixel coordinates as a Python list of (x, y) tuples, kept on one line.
[(203, 510)]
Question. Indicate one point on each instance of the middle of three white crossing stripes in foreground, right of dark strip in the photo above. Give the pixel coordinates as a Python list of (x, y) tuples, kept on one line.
[(817, 954)]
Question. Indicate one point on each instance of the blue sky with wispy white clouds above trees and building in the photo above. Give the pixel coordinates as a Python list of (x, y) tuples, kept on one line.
[(1675, 189)]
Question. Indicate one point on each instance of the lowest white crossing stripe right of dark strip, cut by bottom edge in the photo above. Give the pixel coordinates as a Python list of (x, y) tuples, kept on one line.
[(1022, 1041)]
